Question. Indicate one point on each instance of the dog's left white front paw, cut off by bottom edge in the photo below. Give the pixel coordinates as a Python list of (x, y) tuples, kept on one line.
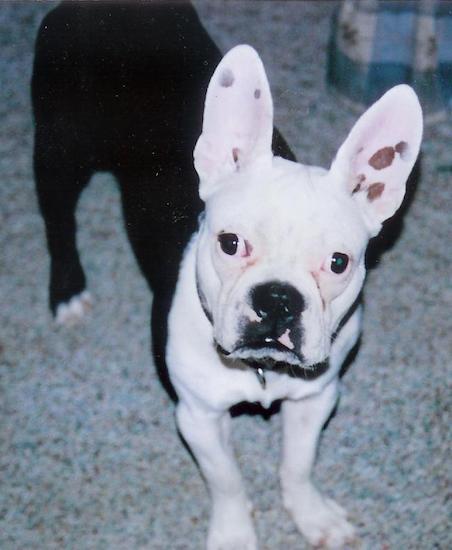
[(231, 528)]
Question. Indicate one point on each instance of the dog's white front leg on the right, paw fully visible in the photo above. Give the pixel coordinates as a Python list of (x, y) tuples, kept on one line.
[(318, 518)]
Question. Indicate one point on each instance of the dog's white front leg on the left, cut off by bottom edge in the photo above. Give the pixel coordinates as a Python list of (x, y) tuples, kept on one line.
[(207, 434)]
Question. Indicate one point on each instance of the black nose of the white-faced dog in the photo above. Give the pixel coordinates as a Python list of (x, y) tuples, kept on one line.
[(278, 304)]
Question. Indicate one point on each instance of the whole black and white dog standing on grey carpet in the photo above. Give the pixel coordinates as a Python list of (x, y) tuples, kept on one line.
[(258, 259)]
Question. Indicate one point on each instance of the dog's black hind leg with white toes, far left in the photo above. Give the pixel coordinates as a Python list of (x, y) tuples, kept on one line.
[(59, 182)]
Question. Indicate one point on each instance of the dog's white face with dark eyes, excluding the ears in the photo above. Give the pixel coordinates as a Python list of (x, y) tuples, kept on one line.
[(285, 254)]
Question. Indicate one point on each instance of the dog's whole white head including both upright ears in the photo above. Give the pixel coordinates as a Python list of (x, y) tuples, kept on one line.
[(281, 248)]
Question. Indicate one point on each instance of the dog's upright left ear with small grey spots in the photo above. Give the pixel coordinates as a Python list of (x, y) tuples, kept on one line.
[(238, 119)]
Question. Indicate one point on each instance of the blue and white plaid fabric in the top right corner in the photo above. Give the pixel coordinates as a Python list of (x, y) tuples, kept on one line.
[(376, 44)]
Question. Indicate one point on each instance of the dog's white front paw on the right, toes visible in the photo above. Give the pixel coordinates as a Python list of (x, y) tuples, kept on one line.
[(322, 521)]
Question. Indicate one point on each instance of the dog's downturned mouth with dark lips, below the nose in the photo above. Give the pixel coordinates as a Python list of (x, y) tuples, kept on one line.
[(274, 356)]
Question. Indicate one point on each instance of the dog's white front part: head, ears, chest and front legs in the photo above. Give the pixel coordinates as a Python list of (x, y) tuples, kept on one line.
[(265, 305)]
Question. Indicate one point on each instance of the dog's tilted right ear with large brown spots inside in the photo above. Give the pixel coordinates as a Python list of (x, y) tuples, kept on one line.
[(379, 153)]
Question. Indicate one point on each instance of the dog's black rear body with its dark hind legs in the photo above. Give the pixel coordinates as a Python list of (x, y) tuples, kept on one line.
[(120, 87)]
